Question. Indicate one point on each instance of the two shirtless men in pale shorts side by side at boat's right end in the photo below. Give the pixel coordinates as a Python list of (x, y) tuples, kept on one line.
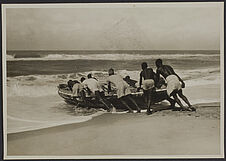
[(174, 85)]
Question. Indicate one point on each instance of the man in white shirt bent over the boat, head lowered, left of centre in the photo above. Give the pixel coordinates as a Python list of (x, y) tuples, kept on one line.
[(93, 85)]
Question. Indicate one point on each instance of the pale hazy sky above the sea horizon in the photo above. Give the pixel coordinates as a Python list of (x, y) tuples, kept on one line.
[(114, 27)]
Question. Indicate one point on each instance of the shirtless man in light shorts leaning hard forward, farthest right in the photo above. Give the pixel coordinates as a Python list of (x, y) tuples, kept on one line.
[(174, 84)]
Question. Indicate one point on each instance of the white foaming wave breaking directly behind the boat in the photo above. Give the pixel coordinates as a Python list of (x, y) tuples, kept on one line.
[(43, 85)]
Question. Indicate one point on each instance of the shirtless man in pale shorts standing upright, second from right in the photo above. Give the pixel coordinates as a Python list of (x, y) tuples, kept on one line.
[(148, 85)]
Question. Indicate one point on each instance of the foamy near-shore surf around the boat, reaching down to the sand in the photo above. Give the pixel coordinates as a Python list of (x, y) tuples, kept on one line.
[(33, 112)]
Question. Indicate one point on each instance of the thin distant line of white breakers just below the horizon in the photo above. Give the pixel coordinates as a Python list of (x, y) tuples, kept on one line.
[(112, 57)]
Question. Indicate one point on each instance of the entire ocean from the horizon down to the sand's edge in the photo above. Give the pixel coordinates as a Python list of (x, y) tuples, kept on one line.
[(33, 77)]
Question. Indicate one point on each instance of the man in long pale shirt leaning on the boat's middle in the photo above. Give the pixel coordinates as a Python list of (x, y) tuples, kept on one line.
[(123, 91)]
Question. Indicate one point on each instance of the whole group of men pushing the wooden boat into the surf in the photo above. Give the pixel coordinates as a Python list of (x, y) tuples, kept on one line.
[(149, 80)]
